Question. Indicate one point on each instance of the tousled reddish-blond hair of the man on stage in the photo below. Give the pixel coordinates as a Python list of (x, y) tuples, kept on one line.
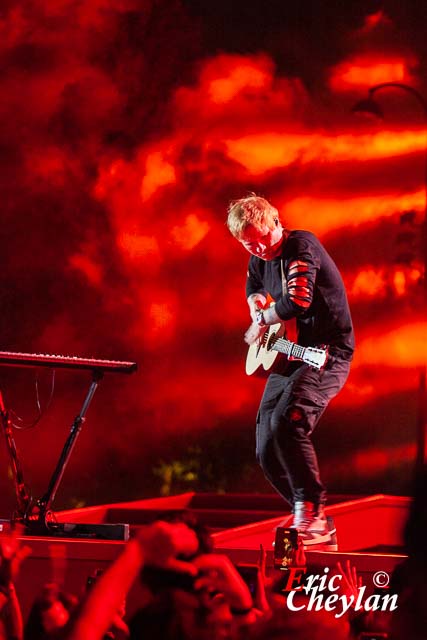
[(250, 211)]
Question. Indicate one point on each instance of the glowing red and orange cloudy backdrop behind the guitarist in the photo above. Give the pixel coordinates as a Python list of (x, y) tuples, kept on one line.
[(127, 126)]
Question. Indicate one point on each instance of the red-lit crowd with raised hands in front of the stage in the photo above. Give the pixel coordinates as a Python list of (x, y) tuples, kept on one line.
[(194, 593)]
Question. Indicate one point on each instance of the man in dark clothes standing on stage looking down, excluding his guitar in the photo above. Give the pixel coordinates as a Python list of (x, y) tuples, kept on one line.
[(296, 271)]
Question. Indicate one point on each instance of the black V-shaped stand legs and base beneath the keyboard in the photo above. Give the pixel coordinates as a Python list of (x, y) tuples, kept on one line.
[(38, 517)]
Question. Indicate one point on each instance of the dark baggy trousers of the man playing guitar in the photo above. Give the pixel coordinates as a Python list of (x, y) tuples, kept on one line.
[(290, 408)]
